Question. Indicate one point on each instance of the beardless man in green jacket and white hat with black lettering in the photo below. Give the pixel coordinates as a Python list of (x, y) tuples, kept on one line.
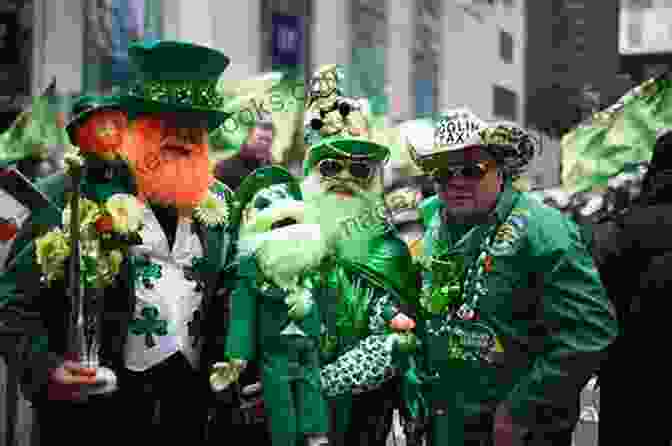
[(515, 315)]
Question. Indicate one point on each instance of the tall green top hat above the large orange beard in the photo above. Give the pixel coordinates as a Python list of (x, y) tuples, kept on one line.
[(176, 77)]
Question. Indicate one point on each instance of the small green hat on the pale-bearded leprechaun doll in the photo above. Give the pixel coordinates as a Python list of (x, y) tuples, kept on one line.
[(260, 179)]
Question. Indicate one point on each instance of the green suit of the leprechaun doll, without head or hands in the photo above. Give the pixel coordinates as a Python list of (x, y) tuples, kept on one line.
[(290, 364)]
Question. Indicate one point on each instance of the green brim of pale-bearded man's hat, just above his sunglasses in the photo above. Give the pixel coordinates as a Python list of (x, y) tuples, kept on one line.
[(339, 147)]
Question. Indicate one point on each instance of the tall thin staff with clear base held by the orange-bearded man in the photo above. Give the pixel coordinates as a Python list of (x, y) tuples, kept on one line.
[(84, 324)]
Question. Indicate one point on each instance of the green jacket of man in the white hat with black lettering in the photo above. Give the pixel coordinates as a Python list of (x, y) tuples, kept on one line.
[(548, 269)]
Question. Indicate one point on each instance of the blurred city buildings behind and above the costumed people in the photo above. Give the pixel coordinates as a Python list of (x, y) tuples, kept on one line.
[(545, 65)]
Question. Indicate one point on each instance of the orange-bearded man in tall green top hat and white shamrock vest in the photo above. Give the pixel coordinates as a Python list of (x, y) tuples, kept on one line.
[(161, 320)]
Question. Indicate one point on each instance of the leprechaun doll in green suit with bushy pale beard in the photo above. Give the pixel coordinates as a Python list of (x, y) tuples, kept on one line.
[(274, 318)]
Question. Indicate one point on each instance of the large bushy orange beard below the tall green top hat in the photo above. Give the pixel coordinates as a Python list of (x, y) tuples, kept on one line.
[(181, 181)]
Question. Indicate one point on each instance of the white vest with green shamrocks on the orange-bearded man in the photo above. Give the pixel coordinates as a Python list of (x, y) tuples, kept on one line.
[(175, 297)]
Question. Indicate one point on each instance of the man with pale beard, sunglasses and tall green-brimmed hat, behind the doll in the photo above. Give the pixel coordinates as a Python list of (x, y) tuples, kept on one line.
[(371, 278)]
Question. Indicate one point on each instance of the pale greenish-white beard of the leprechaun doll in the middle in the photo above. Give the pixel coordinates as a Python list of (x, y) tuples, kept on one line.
[(285, 253)]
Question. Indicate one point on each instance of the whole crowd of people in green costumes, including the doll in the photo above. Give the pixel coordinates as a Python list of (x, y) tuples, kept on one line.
[(243, 302)]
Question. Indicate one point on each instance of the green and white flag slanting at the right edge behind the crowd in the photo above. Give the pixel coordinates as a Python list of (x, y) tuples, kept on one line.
[(623, 134)]
